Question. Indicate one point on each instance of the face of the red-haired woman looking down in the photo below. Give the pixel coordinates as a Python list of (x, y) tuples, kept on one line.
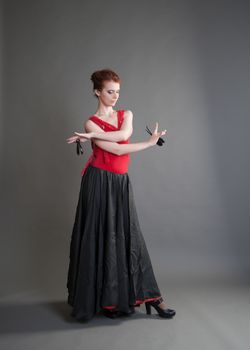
[(110, 93)]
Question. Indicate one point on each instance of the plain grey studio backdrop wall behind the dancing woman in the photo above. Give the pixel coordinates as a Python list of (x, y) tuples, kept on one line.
[(184, 64)]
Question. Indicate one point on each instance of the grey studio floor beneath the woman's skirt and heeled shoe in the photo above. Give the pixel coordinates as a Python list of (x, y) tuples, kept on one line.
[(213, 316)]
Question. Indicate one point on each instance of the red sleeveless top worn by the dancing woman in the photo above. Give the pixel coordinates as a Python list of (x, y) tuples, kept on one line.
[(104, 159)]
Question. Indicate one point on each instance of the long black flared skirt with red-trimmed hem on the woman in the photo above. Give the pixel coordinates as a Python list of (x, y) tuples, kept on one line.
[(109, 264)]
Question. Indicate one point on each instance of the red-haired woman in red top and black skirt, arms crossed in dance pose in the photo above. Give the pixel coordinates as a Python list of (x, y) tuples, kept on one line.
[(110, 269)]
